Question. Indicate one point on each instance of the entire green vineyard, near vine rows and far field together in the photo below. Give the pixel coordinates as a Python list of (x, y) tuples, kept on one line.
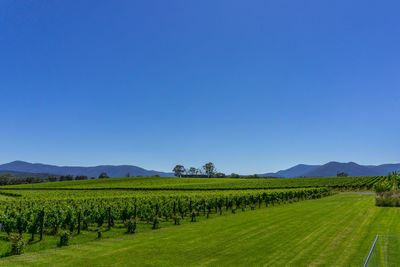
[(47, 215)]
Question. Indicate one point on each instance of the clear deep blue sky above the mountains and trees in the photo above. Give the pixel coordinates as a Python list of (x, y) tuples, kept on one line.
[(253, 86)]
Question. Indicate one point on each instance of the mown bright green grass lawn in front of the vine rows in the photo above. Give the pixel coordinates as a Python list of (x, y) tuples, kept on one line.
[(333, 231)]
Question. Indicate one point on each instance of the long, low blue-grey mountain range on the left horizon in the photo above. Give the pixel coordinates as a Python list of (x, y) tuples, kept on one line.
[(113, 171)]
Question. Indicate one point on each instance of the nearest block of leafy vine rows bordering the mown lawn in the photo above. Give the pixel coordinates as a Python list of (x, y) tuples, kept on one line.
[(75, 214)]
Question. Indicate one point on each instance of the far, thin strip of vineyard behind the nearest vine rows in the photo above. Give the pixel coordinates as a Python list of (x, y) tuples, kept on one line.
[(157, 183)]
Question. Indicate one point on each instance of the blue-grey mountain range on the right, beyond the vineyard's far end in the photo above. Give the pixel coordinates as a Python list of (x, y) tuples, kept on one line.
[(332, 168)]
